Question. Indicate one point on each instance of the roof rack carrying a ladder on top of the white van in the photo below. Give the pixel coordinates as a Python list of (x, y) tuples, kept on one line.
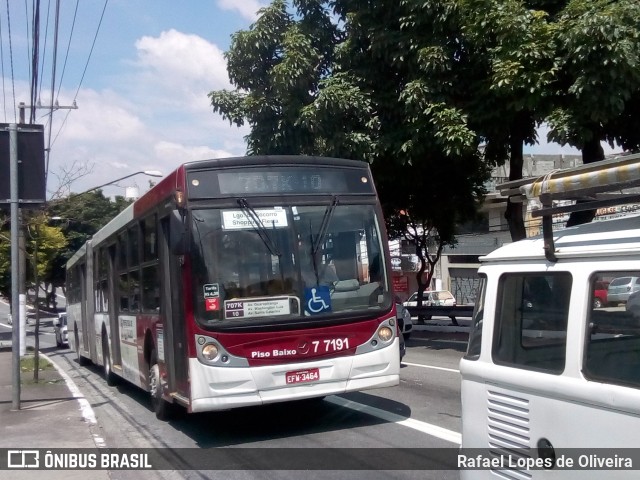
[(590, 185)]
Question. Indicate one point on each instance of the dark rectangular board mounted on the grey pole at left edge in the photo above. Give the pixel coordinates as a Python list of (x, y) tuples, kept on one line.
[(31, 165)]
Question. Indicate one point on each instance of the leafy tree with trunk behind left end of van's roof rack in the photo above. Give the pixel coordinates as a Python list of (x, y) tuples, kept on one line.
[(513, 44)]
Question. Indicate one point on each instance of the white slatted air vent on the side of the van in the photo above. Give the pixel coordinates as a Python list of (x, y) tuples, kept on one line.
[(509, 434)]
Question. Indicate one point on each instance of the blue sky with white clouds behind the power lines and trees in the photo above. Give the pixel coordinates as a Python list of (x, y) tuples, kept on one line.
[(139, 72)]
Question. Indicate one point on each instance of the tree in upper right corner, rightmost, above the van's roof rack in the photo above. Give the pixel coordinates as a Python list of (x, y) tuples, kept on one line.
[(598, 82)]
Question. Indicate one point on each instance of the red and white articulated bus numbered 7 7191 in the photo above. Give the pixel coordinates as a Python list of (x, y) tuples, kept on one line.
[(241, 281)]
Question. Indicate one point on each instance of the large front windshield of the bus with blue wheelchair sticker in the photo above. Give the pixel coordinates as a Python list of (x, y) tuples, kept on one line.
[(286, 262)]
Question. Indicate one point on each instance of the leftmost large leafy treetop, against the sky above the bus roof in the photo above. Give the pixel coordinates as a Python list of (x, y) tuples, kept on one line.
[(276, 66)]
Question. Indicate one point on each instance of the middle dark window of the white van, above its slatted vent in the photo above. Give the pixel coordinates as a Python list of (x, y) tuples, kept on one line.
[(531, 323)]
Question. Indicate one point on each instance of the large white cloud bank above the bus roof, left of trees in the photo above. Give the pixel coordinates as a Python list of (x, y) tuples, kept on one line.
[(156, 116)]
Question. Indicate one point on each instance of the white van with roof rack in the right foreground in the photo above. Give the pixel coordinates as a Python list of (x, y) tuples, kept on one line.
[(551, 379)]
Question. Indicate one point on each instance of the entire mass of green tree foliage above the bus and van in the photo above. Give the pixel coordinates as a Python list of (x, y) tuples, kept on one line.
[(415, 86)]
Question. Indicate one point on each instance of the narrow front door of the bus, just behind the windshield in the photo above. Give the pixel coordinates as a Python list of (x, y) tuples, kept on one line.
[(171, 306)]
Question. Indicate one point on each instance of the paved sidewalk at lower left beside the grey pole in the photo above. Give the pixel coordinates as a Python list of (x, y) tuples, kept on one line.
[(49, 417)]
